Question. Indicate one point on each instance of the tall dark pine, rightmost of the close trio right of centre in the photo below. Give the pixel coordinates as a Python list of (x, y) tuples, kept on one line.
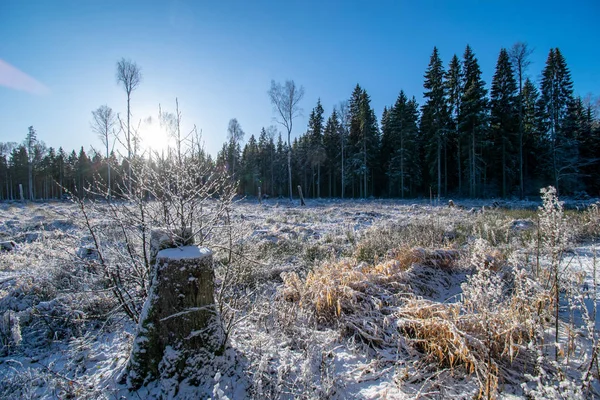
[(473, 118)]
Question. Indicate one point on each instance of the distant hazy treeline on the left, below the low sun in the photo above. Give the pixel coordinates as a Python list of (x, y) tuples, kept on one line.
[(46, 173)]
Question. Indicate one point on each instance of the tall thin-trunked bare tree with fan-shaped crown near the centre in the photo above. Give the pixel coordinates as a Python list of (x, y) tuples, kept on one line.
[(285, 99)]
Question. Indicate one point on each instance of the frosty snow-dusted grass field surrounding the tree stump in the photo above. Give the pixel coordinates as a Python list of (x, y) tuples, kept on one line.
[(338, 299)]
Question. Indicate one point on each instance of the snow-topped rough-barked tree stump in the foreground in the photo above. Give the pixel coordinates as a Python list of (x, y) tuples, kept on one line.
[(179, 328)]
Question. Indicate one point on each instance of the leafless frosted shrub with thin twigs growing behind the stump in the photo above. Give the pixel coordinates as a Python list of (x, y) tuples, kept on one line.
[(180, 192)]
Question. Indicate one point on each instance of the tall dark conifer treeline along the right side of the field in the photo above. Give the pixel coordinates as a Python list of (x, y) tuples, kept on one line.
[(465, 140)]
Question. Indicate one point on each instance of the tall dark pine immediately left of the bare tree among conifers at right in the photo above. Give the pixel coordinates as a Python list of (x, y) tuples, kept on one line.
[(503, 117)]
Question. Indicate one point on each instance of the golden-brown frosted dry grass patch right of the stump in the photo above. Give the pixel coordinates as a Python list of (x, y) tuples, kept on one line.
[(484, 334)]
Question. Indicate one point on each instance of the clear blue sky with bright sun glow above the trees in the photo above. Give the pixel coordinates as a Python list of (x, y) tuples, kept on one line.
[(218, 57)]
